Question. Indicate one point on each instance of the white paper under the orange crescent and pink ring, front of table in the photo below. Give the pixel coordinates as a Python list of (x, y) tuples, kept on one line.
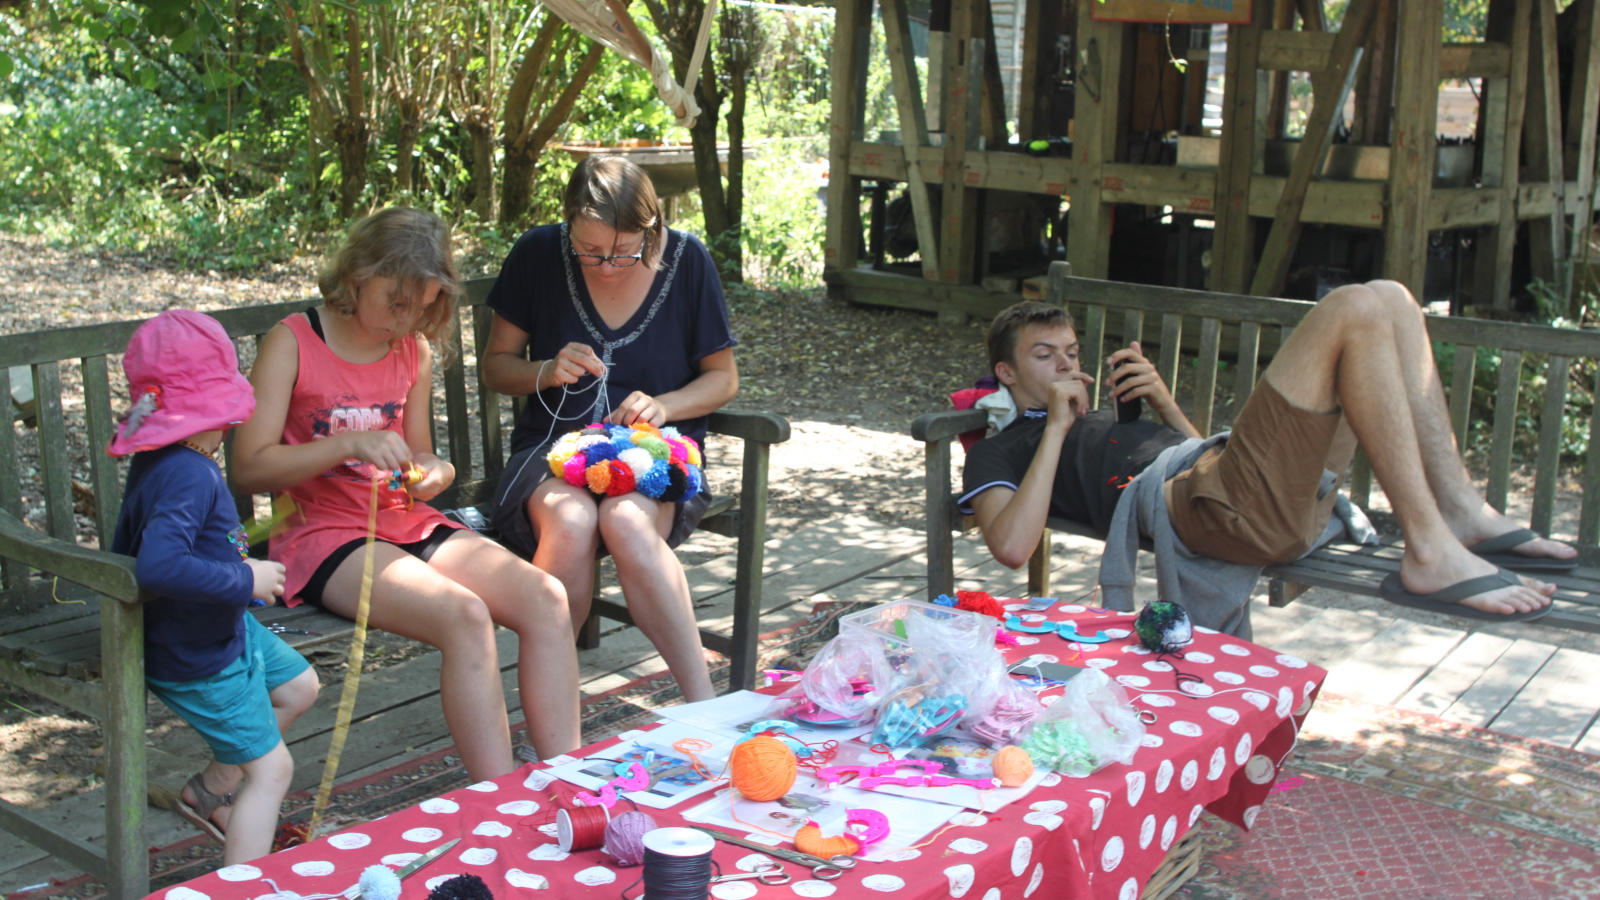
[(911, 821)]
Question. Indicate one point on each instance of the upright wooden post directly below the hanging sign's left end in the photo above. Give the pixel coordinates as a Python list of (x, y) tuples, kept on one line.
[(1097, 113)]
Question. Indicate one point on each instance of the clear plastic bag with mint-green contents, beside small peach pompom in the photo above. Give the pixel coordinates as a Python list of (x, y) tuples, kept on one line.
[(1089, 728)]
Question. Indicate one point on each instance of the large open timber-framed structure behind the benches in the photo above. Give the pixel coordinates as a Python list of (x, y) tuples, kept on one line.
[(1153, 193)]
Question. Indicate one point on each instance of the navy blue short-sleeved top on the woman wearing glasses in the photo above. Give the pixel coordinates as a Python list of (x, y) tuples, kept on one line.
[(682, 321)]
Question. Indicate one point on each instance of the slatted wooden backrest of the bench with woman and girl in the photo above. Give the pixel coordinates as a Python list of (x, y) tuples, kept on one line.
[(97, 352)]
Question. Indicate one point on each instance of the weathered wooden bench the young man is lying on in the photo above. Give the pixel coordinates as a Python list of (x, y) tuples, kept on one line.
[(1110, 315)]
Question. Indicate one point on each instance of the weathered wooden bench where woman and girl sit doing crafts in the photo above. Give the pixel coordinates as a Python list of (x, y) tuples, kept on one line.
[(74, 630)]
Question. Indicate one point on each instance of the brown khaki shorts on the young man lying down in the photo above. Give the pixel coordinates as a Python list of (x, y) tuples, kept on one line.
[(1255, 499)]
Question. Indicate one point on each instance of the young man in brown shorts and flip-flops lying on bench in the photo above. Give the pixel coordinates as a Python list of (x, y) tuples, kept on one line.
[(1359, 369)]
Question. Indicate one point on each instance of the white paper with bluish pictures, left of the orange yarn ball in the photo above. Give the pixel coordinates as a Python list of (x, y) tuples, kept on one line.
[(673, 776)]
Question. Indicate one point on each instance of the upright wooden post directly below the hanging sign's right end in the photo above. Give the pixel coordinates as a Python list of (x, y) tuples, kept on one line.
[(1241, 158)]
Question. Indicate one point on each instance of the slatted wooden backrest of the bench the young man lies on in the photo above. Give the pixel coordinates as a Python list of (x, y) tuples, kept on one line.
[(1526, 352)]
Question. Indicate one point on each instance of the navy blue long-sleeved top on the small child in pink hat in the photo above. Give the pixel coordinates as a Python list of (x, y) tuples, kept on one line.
[(177, 518)]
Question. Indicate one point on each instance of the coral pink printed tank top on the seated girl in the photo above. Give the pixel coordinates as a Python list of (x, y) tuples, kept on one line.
[(324, 513)]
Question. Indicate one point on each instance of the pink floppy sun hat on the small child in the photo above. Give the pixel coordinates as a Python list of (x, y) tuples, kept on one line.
[(183, 379)]
